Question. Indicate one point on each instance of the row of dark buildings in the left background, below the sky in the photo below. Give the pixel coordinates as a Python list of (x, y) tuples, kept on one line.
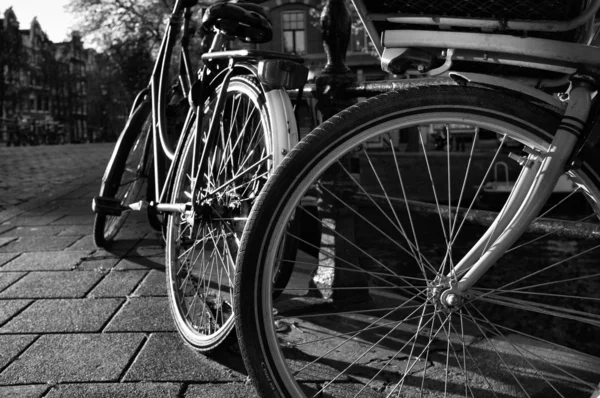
[(44, 87)]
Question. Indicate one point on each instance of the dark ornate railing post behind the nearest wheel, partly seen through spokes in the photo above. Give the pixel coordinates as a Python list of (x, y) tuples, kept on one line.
[(338, 252)]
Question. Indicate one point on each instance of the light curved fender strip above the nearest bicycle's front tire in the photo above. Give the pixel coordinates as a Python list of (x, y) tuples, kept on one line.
[(507, 84)]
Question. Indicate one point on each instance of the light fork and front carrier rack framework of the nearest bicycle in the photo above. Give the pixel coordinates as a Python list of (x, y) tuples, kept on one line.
[(541, 170)]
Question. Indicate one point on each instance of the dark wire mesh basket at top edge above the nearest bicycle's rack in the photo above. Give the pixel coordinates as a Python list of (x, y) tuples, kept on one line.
[(558, 10)]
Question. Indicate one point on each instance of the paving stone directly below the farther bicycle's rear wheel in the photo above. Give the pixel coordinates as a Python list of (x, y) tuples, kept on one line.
[(165, 357)]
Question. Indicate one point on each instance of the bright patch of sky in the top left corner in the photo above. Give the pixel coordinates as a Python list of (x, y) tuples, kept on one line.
[(53, 19)]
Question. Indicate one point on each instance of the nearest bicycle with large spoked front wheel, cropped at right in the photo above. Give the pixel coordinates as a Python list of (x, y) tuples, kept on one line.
[(419, 287)]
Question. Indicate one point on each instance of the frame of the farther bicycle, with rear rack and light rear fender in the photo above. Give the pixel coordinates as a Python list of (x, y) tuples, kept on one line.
[(243, 61)]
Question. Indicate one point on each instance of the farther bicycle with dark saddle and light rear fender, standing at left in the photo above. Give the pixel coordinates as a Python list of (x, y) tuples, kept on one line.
[(238, 124)]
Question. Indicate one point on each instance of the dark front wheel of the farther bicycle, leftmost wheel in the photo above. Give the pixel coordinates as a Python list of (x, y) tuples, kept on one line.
[(125, 174)]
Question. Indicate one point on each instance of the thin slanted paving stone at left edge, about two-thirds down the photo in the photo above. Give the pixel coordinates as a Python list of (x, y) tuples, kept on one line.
[(46, 261)]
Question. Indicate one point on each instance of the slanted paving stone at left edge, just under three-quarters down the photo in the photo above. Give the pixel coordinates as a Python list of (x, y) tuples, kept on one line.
[(52, 284)]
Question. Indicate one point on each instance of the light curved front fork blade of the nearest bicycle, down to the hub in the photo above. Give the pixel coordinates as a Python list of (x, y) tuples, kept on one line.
[(541, 171)]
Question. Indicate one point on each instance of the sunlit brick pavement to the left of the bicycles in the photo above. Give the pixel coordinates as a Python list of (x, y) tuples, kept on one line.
[(77, 321)]
